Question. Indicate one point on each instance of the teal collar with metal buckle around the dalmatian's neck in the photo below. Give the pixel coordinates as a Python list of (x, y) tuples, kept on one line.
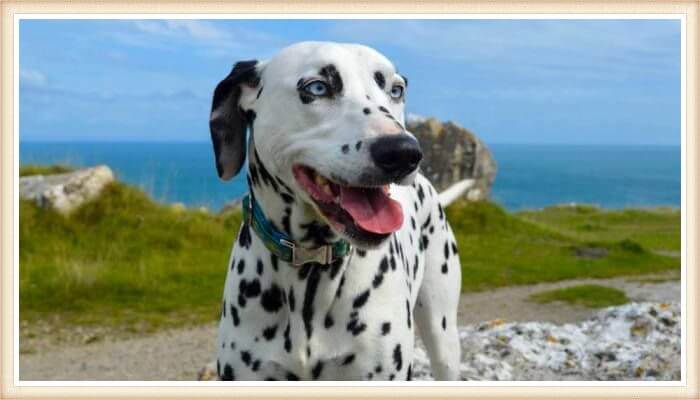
[(283, 246)]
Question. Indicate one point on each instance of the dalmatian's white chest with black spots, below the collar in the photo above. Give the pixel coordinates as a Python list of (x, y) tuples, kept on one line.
[(349, 320)]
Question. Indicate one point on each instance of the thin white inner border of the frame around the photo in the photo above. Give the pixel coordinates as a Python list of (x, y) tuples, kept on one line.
[(553, 16)]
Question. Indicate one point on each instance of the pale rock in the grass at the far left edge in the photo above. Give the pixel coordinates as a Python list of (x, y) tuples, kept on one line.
[(65, 192)]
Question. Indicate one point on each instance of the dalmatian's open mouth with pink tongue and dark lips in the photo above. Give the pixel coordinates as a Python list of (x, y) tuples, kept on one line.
[(363, 212)]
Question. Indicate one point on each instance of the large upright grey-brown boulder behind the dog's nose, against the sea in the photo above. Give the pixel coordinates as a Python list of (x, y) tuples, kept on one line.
[(452, 154)]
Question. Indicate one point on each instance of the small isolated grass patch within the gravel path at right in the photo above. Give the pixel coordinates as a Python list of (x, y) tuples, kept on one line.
[(592, 296)]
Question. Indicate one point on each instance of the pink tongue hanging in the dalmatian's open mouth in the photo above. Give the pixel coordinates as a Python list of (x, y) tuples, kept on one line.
[(372, 209)]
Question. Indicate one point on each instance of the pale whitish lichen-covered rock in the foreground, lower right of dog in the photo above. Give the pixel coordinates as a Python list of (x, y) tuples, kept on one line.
[(635, 341)]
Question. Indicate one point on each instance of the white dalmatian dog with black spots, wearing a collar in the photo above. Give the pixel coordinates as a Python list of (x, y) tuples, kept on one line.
[(345, 248)]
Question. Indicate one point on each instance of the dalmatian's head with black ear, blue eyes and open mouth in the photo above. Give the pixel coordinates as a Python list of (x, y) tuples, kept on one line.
[(328, 121)]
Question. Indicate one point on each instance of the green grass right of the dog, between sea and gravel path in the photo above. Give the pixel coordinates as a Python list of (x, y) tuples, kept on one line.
[(502, 249)]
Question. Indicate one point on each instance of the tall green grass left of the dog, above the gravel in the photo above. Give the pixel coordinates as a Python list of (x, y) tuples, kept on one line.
[(123, 259)]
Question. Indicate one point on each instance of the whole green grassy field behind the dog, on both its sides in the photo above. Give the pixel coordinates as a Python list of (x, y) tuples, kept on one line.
[(124, 260)]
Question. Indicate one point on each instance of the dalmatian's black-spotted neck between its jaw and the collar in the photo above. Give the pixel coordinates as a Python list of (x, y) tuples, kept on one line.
[(285, 211)]
